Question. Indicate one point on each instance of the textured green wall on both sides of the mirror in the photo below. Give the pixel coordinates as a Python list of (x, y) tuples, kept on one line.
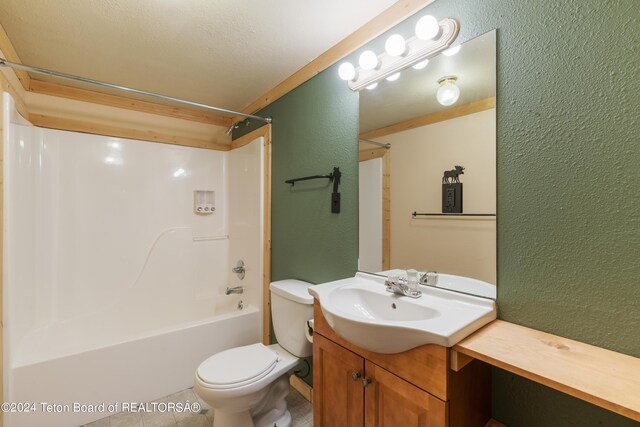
[(568, 182)]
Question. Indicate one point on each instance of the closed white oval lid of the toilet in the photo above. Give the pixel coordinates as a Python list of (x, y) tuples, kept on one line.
[(237, 366)]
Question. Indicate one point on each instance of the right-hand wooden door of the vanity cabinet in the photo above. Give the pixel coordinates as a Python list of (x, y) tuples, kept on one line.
[(393, 402)]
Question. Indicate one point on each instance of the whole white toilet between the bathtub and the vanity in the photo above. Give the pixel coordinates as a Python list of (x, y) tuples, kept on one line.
[(247, 386)]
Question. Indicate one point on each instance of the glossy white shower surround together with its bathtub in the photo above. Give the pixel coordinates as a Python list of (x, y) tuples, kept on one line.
[(114, 289)]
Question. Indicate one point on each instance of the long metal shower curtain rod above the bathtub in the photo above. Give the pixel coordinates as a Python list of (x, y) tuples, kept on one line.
[(5, 63)]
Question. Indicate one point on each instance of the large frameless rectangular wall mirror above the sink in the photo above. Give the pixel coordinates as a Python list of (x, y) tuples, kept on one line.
[(407, 142)]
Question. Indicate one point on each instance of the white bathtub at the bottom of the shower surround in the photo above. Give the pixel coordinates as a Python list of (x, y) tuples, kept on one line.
[(134, 370)]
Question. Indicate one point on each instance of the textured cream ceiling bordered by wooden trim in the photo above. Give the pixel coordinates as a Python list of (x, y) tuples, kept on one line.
[(225, 53)]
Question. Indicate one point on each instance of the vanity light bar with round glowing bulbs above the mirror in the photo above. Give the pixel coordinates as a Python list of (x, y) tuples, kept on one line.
[(431, 38)]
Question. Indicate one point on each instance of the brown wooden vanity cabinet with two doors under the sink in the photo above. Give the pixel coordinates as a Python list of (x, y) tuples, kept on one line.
[(354, 387)]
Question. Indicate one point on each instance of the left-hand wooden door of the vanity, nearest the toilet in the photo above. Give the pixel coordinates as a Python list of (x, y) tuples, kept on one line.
[(338, 394)]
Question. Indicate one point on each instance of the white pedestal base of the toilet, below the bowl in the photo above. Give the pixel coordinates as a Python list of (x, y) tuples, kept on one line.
[(271, 411)]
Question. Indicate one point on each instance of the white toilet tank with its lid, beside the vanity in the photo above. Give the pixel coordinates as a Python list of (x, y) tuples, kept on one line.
[(291, 307)]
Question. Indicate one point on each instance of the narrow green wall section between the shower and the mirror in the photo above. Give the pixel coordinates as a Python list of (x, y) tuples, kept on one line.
[(315, 129)]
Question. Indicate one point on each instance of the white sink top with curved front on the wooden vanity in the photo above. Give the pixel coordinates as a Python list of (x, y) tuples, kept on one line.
[(360, 310)]
